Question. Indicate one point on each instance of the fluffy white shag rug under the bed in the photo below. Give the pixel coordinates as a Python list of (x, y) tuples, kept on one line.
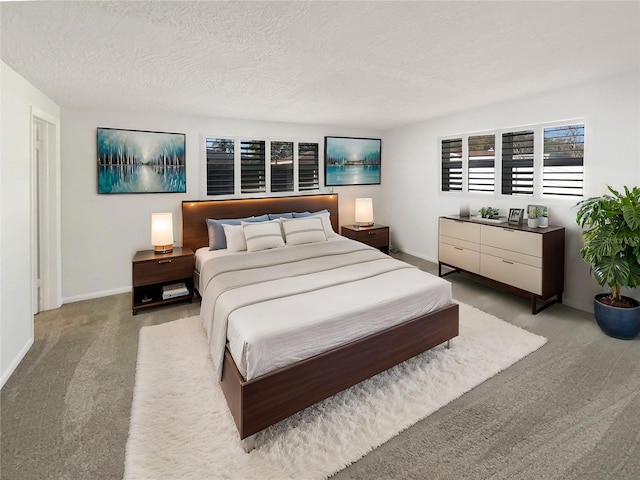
[(181, 427)]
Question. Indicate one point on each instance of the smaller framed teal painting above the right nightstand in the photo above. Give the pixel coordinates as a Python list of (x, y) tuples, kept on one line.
[(352, 161)]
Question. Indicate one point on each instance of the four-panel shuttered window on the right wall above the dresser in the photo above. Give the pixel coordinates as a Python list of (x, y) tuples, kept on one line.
[(540, 160)]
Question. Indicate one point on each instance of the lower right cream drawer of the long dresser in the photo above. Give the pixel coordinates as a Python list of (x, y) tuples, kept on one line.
[(519, 275)]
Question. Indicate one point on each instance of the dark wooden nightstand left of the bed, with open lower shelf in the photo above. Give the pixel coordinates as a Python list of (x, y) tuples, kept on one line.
[(151, 271)]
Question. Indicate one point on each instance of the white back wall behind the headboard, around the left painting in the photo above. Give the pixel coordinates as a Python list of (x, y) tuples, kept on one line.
[(101, 233)]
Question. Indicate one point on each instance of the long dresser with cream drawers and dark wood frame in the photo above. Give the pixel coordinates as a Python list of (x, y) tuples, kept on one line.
[(525, 260)]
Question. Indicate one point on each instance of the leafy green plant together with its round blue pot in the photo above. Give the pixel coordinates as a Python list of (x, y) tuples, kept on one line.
[(611, 234)]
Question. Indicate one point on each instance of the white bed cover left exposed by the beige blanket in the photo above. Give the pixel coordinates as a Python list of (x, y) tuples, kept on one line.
[(271, 334)]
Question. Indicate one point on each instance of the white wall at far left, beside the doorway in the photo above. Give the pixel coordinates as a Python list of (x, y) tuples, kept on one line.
[(16, 318)]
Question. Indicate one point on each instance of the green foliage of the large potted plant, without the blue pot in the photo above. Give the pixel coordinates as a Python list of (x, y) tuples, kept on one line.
[(611, 234)]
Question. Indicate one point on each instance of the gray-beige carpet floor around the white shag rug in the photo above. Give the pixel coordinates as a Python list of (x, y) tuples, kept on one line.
[(571, 410)]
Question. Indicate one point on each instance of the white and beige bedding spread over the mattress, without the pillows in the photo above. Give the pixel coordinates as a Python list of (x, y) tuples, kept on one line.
[(279, 306)]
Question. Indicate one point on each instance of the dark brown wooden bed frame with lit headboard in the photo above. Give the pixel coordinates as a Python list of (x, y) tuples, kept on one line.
[(258, 403)]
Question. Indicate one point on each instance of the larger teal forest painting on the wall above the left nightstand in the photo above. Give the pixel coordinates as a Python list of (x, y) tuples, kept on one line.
[(138, 161)]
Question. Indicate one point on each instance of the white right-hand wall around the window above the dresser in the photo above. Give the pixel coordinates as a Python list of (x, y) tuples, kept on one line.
[(413, 202)]
